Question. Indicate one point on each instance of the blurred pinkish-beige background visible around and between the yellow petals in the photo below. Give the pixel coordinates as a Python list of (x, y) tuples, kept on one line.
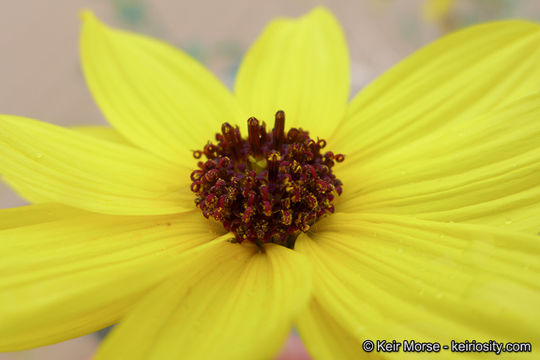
[(40, 75)]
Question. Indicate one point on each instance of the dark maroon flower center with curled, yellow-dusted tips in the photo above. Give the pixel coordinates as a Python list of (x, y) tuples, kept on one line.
[(268, 187)]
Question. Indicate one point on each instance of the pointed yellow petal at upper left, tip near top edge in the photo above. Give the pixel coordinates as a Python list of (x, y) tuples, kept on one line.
[(156, 96)]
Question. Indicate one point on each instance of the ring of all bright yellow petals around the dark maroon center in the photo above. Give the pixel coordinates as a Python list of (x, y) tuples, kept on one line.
[(433, 239)]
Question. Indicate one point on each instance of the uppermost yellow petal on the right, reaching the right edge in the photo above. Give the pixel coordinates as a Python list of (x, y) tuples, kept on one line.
[(452, 80)]
